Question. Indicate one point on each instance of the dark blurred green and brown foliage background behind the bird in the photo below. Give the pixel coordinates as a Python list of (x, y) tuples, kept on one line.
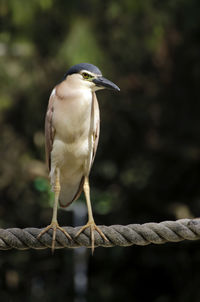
[(147, 166)]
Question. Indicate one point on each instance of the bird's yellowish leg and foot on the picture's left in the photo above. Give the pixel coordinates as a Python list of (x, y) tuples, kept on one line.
[(54, 223)]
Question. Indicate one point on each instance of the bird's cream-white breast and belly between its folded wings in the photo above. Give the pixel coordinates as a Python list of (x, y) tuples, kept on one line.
[(71, 121)]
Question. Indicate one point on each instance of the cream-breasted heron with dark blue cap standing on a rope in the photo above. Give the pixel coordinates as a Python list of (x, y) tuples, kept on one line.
[(72, 125)]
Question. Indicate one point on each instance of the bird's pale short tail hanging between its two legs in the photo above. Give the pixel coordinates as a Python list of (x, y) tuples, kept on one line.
[(70, 192)]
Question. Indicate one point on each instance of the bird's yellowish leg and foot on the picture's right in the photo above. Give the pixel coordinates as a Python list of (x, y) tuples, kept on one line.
[(90, 224)]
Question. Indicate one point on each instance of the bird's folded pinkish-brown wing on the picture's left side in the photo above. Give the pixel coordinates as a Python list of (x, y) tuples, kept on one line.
[(49, 131)]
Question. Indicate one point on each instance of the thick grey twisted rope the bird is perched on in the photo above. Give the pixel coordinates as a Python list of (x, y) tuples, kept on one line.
[(118, 235)]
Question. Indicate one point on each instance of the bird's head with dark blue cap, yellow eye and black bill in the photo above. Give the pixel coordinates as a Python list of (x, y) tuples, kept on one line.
[(88, 76)]
